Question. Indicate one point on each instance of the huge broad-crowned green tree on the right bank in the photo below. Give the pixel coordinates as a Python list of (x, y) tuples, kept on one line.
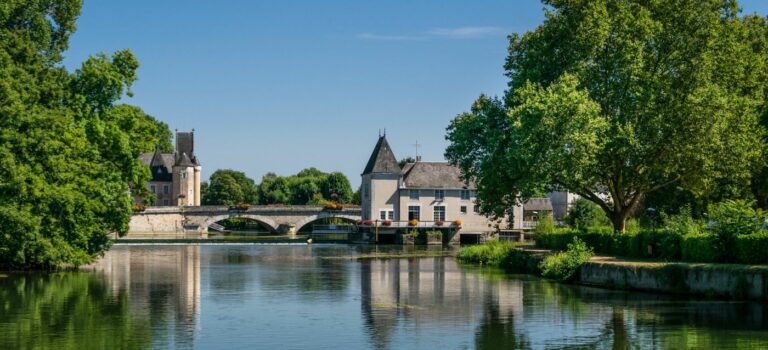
[(616, 99)]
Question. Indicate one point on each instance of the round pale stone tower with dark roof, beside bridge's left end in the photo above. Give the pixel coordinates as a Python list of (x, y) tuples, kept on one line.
[(186, 170)]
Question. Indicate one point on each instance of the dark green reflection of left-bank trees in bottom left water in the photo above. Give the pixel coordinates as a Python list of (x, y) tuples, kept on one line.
[(67, 310)]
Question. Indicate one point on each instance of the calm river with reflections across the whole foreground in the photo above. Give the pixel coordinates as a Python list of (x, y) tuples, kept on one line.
[(321, 297)]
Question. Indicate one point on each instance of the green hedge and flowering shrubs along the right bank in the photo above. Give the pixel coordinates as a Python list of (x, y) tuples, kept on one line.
[(735, 234)]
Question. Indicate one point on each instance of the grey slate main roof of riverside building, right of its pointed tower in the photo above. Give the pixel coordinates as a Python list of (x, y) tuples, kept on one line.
[(433, 175)]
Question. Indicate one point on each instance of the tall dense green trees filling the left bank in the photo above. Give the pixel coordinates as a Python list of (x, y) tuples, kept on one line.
[(68, 152)]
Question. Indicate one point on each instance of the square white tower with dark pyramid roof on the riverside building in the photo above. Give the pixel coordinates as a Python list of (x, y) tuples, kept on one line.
[(380, 179)]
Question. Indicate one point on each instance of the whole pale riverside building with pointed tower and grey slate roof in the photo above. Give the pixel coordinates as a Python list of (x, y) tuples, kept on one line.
[(425, 191)]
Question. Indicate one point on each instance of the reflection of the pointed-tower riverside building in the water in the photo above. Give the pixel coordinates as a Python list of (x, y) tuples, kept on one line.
[(428, 292)]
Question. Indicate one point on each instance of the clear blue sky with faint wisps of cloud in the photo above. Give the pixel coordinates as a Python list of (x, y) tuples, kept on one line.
[(284, 85)]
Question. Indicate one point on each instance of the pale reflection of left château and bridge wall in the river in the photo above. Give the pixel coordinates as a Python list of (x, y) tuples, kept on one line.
[(158, 283)]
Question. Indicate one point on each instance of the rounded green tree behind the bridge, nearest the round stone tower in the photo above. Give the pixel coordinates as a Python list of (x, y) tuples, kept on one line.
[(229, 187)]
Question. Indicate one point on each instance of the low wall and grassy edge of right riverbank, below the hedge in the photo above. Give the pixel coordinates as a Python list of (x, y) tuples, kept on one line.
[(709, 280)]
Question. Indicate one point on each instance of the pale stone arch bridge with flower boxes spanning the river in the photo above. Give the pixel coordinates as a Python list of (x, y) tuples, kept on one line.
[(279, 218)]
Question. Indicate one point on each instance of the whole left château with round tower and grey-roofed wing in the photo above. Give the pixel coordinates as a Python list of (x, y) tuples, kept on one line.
[(175, 176)]
